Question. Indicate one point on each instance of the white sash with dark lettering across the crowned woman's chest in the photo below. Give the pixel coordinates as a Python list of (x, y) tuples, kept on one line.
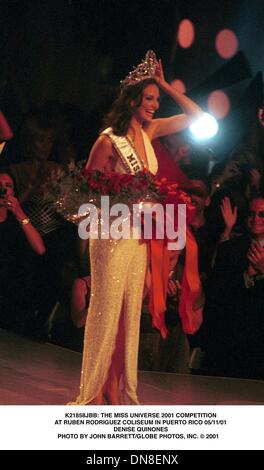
[(126, 152)]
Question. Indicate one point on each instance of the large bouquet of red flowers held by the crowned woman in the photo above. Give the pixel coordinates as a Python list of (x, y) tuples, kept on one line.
[(75, 186)]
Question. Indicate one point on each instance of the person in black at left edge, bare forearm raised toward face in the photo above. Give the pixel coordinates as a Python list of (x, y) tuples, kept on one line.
[(20, 243)]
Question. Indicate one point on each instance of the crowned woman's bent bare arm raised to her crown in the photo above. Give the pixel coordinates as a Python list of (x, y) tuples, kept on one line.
[(166, 126)]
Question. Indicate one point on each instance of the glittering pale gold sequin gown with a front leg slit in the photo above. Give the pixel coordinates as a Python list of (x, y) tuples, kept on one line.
[(118, 269)]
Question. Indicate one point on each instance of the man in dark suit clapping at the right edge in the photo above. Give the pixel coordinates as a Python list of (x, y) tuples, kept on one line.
[(235, 298)]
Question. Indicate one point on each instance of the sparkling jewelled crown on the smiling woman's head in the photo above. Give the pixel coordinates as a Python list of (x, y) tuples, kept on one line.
[(146, 69)]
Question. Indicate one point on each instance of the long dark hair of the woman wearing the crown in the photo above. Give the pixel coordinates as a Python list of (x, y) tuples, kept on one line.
[(121, 113)]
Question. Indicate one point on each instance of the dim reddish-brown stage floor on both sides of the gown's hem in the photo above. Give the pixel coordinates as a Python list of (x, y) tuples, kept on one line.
[(45, 374)]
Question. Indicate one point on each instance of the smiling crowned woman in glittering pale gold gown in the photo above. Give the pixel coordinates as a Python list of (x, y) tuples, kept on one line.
[(118, 267)]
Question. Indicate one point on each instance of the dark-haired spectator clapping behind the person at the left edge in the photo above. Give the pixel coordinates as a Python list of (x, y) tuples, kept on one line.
[(38, 140)]
